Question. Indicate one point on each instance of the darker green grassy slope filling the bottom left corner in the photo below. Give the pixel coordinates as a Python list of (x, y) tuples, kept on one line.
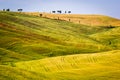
[(11, 73)]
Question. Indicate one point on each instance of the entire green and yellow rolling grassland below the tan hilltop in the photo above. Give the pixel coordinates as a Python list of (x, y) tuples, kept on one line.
[(36, 48)]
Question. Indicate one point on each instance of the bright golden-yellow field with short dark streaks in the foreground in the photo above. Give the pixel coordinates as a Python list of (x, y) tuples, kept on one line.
[(96, 66)]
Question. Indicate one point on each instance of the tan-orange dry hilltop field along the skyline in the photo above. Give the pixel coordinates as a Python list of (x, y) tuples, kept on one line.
[(90, 20)]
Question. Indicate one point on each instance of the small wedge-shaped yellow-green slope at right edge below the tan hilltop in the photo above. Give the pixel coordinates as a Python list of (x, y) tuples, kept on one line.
[(111, 37)]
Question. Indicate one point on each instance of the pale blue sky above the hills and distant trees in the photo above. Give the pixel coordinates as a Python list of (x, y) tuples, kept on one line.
[(104, 7)]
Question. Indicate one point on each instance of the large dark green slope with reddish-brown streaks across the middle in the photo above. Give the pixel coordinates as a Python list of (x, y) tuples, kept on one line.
[(36, 37)]
